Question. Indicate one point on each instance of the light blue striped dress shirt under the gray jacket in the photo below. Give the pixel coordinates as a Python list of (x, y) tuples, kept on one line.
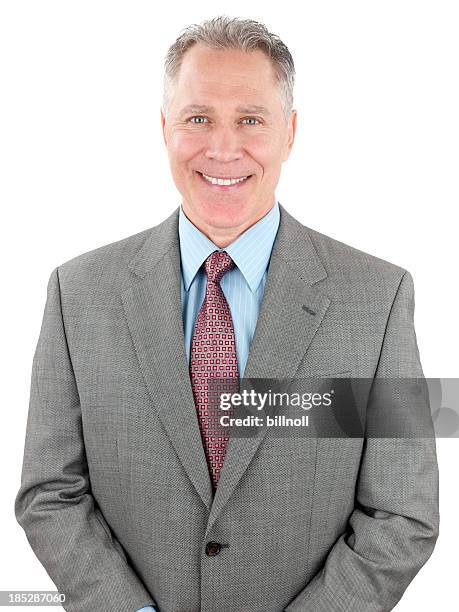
[(243, 285)]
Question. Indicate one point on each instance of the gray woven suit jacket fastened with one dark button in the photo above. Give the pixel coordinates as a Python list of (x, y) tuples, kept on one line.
[(116, 498)]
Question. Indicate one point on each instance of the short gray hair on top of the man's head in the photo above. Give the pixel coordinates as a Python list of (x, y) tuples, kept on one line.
[(232, 33)]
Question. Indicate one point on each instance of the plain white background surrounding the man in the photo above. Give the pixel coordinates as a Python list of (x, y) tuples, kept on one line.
[(375, 165)]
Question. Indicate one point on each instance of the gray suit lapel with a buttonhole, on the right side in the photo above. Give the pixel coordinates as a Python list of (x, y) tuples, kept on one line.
[(291, 313)]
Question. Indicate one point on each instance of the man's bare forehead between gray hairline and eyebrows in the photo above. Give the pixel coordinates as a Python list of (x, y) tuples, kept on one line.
[(228, 74)]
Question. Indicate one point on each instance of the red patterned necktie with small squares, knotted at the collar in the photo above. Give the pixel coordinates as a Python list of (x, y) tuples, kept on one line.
[(213, 355)]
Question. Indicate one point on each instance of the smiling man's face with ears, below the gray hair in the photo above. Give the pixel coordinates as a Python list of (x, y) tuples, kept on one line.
[(226, 121)]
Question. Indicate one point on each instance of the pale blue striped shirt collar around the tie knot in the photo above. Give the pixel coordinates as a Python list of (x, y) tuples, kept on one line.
[(250, 251)]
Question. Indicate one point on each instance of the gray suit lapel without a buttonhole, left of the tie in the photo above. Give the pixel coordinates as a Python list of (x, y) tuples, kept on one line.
[(153, 311)]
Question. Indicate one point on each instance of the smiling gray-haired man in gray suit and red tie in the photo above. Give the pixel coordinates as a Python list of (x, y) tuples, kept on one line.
[(128, 497)]
